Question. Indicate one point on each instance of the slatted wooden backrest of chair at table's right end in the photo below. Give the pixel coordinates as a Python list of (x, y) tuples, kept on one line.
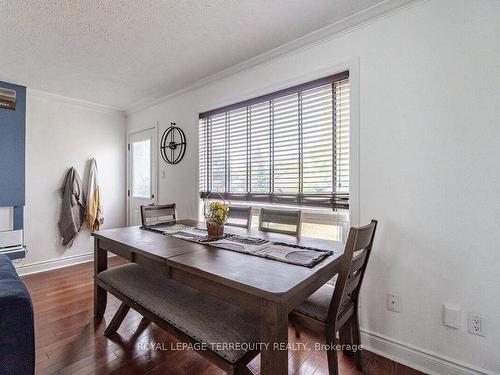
[(345, 296)]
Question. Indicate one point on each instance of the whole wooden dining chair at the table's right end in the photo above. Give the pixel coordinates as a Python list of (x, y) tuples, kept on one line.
[(330, 309)]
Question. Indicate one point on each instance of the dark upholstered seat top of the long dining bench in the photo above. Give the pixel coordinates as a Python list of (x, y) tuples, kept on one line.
[(208, 320)]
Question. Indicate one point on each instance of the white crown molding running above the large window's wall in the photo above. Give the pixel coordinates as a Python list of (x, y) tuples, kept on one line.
[(354, 22)]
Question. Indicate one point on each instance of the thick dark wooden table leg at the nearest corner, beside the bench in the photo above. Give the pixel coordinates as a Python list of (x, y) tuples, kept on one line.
[(274, 336)]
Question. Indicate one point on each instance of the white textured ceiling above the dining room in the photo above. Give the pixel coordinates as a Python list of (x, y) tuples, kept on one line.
[(118, 53)]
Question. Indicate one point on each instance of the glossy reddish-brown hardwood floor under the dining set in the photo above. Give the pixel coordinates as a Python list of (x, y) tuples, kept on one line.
[(68, 342)]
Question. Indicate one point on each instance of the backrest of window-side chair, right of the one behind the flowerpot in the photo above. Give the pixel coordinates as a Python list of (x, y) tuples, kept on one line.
[(280, 221)]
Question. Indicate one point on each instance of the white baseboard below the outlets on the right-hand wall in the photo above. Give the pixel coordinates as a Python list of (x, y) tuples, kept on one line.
[(417, 358)]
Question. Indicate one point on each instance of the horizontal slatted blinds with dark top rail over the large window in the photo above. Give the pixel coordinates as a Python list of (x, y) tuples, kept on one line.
[(289, 147)]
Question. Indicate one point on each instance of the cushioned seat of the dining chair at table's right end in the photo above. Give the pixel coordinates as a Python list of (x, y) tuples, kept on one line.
[(317, 304)]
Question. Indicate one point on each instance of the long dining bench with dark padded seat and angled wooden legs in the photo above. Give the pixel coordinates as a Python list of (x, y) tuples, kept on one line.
[(219, 328)]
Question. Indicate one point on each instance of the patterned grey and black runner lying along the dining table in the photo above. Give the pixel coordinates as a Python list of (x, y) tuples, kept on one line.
[(280, 251)]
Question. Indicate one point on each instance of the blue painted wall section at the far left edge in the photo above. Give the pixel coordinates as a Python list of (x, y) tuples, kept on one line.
[(12, 154)]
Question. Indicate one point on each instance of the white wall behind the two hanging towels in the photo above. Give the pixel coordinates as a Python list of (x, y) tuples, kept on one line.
[(62, 133)]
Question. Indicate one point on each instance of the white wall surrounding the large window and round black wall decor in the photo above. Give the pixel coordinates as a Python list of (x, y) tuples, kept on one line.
[(429, 83)]
